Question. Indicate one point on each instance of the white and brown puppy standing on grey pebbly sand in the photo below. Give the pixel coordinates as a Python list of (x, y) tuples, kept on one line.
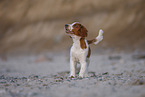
[(80, 50)]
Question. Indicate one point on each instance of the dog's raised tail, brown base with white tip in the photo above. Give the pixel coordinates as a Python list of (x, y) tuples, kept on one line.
[(97, 39)]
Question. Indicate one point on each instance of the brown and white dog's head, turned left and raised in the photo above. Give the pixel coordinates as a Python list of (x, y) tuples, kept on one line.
[(76, 29)]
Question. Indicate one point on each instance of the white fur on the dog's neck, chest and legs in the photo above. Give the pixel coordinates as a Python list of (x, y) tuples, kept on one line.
[(77, 54)]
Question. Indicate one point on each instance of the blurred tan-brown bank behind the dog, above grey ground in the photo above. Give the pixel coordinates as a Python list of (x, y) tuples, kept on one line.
[(38, 25)]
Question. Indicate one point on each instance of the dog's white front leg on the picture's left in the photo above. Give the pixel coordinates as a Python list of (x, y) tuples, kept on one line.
[(72, 67)]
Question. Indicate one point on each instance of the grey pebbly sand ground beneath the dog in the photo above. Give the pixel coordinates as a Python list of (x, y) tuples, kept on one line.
[(46, 75)]
